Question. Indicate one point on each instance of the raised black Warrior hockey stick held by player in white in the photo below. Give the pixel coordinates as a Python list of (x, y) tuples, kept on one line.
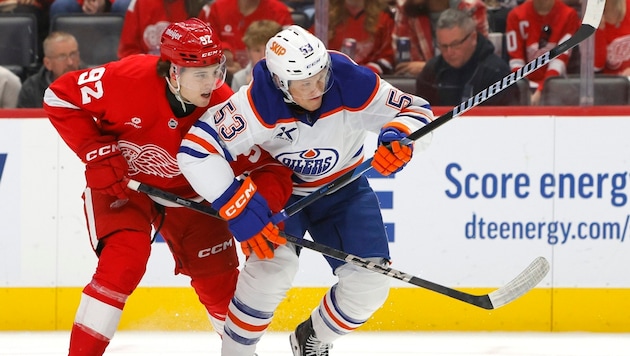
[(590, 22)]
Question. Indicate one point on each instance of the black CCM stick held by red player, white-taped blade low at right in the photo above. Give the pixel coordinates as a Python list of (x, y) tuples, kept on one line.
[(516, 288)]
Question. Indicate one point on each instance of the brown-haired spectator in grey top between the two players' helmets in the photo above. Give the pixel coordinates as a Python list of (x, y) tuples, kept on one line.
[(255, 38)]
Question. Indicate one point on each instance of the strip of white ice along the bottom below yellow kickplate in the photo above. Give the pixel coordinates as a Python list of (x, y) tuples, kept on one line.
[(358, 343)]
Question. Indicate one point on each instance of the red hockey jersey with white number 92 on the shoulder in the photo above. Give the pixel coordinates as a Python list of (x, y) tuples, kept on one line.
[(126, 99)]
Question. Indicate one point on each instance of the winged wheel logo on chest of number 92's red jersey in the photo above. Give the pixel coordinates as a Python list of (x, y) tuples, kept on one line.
[(149, 159)]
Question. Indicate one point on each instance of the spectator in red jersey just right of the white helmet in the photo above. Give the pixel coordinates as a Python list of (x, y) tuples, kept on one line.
[(368, 25)]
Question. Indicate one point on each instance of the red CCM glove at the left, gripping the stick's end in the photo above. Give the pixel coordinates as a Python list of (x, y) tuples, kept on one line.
[(105, 168)]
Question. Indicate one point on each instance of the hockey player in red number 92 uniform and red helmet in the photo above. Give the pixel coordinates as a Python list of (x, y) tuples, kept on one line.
[(126, 119)]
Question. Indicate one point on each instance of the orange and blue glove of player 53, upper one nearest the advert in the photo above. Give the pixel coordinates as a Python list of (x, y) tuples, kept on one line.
[(392, 159)]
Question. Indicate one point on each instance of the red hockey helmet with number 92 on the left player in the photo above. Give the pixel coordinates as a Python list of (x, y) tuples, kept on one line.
[(191, 43)]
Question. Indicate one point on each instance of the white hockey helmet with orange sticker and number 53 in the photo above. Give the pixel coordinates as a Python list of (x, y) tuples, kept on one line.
[(295, 54)]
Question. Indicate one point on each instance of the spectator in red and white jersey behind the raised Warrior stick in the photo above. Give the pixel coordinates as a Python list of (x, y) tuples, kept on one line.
[(535, 27)]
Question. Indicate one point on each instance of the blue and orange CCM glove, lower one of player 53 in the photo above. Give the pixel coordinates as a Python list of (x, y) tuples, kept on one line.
[(249, 218)]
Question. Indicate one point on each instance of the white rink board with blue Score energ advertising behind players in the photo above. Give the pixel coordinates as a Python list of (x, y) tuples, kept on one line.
[(43, 240)]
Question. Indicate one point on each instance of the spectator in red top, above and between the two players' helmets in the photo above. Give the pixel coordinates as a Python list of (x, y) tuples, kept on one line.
[(232, 17)]
